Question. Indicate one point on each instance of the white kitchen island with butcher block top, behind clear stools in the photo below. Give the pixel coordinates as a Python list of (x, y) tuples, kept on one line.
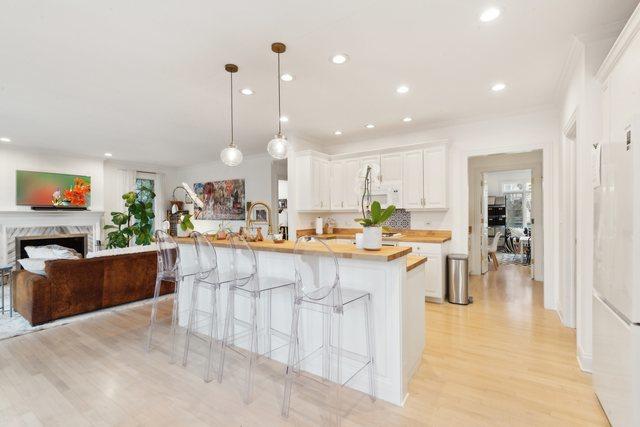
[(397, 290)]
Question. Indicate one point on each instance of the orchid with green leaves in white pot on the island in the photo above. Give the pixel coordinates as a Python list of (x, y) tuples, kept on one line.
[(373, 216)]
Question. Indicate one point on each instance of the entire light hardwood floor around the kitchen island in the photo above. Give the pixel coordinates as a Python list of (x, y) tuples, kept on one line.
[(502, 361)]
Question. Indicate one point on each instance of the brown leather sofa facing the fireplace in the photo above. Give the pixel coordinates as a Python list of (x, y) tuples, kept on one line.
[(80, 286)]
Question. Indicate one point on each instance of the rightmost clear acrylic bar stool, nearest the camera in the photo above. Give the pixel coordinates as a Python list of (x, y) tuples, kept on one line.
[(318, 289)]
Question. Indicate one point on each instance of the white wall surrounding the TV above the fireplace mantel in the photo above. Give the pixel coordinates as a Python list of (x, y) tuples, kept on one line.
[(14, 158)]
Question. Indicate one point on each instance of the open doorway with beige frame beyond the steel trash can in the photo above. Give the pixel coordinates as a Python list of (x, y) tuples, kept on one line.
[(505, 201)]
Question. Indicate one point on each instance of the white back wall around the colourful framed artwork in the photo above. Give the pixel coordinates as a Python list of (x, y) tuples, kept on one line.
[(255, 170)]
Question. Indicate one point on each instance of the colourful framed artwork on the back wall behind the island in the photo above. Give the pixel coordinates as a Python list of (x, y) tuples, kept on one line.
[(223, 200)]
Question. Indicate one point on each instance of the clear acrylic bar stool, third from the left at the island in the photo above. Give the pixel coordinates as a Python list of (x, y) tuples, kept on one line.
[(246, 282)]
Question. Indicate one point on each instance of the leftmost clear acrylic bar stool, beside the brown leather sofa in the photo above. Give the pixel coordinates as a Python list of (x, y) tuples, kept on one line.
[(169, 270)]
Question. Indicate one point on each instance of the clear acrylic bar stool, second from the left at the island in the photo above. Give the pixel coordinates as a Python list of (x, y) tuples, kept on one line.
[(206, 278)]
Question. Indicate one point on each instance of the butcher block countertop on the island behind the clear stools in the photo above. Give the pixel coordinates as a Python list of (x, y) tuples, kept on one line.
[(387, 253)]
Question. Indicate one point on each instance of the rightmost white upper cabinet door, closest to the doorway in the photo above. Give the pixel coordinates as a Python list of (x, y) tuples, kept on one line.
[(435, 177)]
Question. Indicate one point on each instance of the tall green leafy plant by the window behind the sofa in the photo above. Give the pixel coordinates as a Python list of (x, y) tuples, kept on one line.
[(136, 222)]
